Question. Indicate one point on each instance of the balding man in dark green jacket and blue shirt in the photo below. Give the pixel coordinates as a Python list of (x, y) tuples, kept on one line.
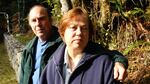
[(39, 50)]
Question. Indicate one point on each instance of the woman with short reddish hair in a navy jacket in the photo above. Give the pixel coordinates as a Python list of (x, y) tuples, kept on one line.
[(78, 60)]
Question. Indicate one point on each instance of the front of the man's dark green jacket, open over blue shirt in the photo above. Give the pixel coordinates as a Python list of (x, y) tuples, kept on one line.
[(28, 56)]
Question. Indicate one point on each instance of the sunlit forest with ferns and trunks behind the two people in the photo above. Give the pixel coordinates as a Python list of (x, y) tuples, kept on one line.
[(122, 25)]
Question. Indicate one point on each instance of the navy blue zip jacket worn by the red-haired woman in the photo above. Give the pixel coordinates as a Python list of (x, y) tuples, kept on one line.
[(95, 67)]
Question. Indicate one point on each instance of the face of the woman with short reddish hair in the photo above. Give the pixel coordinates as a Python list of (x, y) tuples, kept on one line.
[(76, 35)]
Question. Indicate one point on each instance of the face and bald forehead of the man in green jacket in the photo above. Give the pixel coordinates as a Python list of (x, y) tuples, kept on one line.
[(39, 22)]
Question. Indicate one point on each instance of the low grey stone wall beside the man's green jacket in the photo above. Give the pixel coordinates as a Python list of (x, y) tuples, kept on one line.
[(14, 50)]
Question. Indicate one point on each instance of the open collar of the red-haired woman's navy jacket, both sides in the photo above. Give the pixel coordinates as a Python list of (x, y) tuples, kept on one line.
[(91, 51)]
